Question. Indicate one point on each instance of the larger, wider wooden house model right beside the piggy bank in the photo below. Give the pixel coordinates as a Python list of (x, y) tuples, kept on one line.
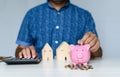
[(63, 52)]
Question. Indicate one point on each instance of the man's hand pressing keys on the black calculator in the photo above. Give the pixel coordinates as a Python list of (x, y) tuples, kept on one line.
[(26, 52)]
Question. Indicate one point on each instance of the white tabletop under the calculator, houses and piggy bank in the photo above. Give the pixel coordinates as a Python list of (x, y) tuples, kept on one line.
[(105, 67)]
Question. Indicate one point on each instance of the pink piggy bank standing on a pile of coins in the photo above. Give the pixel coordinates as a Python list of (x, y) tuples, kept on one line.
[(80, 54)]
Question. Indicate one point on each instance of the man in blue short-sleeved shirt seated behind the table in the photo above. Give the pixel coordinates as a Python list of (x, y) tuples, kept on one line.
[(54, 22)]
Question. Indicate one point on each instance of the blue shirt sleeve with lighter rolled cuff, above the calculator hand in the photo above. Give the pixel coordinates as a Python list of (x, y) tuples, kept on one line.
[(24, 38)]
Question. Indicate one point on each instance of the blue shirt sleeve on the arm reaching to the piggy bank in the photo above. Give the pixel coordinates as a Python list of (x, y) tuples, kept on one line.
[(90, 24)]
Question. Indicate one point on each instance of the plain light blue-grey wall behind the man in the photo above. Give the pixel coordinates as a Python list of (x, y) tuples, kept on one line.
[(106, 14)]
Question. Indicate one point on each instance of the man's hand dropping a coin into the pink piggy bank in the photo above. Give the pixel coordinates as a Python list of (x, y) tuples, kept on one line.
[(93, 41)]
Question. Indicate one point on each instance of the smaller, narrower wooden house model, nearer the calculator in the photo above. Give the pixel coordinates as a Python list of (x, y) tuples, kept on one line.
[(47, 53)]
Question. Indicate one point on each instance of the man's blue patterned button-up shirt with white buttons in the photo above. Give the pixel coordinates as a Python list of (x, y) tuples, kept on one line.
[(44, 24)]
